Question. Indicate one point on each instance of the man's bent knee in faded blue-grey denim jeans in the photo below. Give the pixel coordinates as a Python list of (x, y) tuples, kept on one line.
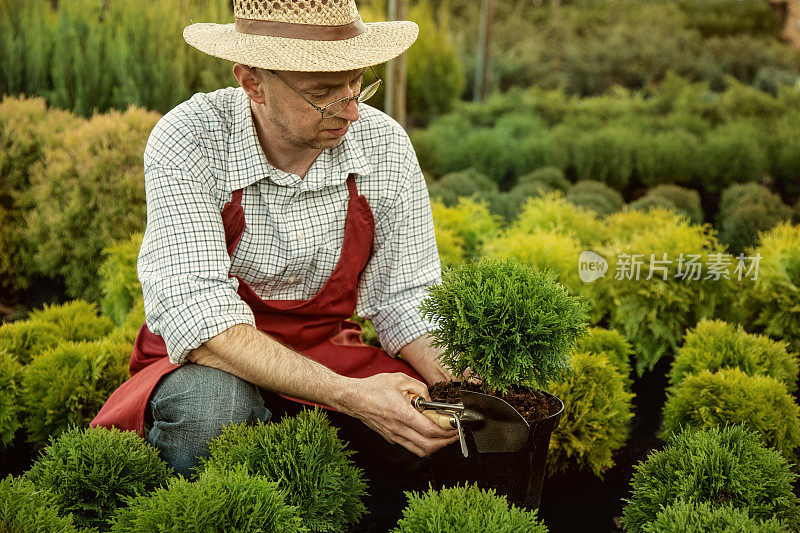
[(192, 405)]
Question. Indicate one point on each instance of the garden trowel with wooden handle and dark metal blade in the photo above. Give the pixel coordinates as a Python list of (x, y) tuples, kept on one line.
[(495, 425)]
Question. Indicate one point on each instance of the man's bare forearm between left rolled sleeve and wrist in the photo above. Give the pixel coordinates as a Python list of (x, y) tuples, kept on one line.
[(256, 357)]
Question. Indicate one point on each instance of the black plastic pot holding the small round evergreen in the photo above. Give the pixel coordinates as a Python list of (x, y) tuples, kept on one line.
[(518, 475)]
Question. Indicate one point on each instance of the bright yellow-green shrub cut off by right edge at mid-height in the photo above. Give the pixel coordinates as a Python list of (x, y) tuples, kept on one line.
[(769, 303)]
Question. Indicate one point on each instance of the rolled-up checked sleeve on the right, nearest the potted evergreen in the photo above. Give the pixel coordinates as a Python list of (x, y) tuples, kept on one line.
[(405, 260)]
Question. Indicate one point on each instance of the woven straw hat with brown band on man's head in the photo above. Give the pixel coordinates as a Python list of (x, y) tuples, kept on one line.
[(303, 35)]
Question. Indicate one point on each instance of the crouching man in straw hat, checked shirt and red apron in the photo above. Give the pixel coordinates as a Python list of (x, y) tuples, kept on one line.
[(274, 210)]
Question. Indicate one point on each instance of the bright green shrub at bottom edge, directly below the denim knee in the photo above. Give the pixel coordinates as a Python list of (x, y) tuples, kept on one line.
[(230, 501)]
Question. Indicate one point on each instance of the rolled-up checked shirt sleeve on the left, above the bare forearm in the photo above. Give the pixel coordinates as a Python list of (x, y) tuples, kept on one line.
[(183, 264)]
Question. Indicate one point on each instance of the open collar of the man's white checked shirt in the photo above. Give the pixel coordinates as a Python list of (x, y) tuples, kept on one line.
[(247, 163)]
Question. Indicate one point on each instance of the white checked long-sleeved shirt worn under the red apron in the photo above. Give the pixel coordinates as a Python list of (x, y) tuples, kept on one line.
[(206, 148)]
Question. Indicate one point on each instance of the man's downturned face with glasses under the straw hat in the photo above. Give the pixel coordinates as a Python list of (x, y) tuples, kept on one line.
[(298, 122)]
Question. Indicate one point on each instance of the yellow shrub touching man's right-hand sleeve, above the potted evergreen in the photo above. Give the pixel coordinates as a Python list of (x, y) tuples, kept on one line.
[(470, 220)]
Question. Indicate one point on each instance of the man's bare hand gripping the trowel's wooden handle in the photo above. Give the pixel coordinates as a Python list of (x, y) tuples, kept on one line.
[(382, 403)]
